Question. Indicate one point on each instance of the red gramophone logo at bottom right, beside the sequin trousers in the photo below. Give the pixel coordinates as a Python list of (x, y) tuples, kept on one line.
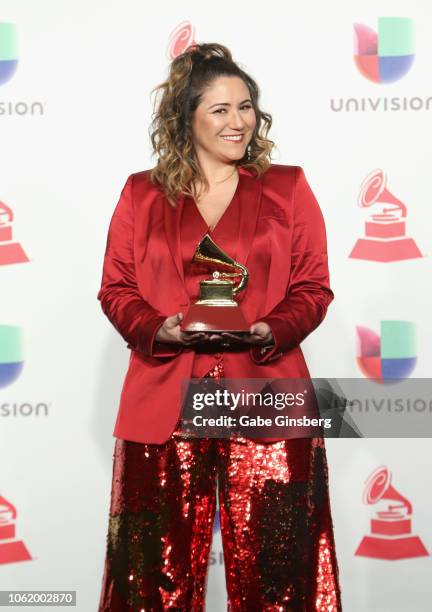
[(391, 537)]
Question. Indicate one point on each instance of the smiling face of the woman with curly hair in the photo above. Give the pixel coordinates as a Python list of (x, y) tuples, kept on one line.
[(224, 120)]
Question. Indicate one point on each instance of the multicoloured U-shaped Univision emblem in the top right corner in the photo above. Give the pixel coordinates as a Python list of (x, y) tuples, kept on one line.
[(387, 55)]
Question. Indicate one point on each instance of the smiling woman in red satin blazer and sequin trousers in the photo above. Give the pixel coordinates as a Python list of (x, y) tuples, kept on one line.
[(213, 175)]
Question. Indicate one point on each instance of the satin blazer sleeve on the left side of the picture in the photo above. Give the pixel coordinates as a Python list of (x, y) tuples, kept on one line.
[(134, 318)]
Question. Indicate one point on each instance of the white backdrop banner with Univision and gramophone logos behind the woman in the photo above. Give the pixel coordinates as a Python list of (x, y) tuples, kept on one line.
[(349, 89)]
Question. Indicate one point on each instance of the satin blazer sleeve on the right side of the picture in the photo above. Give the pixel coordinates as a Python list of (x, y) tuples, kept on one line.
[(308, 294)]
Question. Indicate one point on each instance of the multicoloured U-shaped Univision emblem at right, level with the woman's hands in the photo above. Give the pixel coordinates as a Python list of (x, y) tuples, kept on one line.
[(390, 356)]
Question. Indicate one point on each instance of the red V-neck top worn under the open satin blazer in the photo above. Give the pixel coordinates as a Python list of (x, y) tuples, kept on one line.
[(225, 234)]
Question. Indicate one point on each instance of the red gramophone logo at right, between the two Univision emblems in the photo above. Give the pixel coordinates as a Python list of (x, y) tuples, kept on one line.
[(385, 229)]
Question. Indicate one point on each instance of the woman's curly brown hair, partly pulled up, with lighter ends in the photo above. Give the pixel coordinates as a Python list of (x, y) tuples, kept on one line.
[(177, 98)]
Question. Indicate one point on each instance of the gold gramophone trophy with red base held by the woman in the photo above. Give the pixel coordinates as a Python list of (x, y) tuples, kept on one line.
[(216, 309)]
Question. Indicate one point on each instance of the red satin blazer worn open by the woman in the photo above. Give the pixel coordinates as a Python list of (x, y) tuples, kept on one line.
[(282, 242)]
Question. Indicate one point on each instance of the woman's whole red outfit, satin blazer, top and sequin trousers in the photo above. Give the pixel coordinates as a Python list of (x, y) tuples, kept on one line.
[(274, 507)]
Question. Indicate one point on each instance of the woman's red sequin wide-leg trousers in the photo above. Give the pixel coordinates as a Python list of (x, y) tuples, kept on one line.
[(275, 517)]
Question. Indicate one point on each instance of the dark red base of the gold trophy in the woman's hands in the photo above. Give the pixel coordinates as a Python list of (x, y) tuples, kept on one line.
[(215, 319)]
